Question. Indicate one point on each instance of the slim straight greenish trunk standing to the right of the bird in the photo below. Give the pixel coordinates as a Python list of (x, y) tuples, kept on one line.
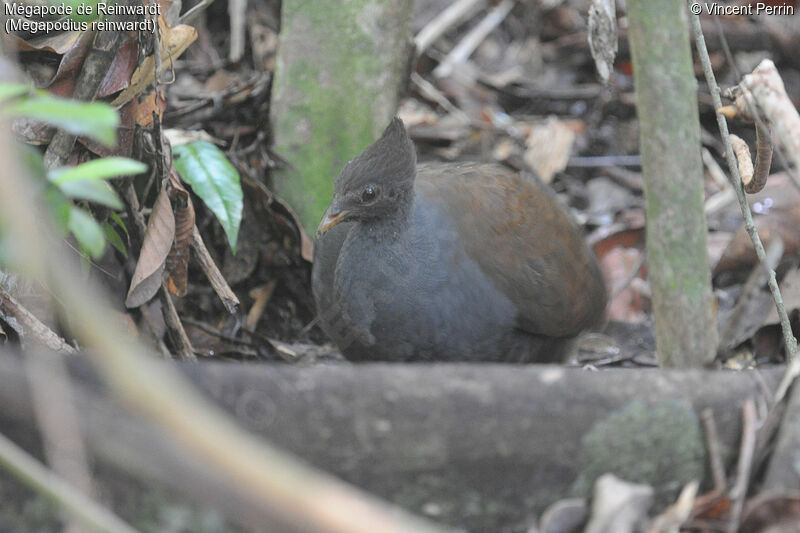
[(666, 103)]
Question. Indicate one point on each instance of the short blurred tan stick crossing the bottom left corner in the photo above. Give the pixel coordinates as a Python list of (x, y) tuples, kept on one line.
[(44, 481)]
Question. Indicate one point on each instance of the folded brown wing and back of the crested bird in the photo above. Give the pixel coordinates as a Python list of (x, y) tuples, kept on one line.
[(523, 239)]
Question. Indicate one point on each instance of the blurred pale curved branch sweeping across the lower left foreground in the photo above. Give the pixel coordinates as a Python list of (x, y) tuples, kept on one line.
[(297, 493)]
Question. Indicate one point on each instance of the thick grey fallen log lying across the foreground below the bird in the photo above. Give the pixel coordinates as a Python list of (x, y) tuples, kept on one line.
[(484, 447)]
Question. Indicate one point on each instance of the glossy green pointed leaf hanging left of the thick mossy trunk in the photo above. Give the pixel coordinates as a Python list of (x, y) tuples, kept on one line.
[(215, 180)]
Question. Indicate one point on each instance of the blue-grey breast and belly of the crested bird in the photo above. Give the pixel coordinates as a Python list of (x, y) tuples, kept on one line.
[(418, 284)]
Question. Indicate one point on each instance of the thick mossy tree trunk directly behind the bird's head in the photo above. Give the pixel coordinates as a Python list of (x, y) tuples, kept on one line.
[(340, 70)]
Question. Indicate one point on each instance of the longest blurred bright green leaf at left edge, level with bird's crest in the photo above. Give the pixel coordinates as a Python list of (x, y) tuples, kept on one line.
[(92, 119)]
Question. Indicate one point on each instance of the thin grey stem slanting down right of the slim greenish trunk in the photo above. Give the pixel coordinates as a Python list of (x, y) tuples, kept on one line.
[(789, 340)]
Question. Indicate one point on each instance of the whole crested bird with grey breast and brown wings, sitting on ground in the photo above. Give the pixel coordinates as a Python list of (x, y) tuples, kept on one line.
[(449, 262)]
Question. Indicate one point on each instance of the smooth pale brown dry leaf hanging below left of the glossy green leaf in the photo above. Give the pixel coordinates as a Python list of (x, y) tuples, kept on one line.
[(157, 243)]
